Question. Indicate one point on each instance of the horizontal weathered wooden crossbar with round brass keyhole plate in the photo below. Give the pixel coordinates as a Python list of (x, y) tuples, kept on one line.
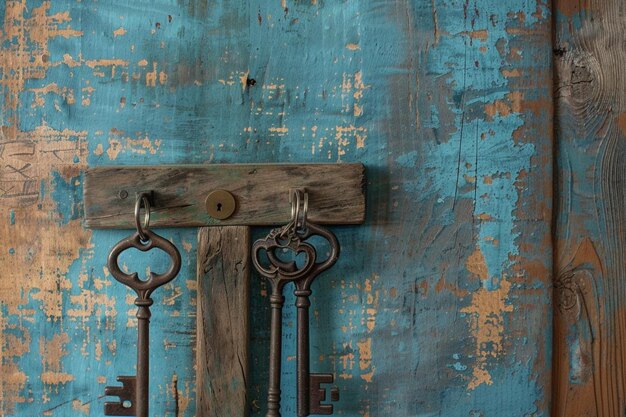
[(336, 193)]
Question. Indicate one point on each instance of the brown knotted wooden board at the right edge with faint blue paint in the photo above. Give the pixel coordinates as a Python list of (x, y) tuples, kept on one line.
[(590, 287)]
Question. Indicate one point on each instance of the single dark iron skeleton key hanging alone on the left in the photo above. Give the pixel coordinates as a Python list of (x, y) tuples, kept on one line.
[(134, 394)]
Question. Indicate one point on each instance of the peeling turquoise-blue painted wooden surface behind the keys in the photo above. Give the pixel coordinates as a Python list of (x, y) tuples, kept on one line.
[(440, 303)]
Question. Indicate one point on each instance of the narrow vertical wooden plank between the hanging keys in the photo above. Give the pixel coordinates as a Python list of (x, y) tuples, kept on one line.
[(222, 344)]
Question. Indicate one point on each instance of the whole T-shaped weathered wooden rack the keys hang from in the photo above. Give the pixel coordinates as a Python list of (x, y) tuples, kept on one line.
[(224, 201)]
